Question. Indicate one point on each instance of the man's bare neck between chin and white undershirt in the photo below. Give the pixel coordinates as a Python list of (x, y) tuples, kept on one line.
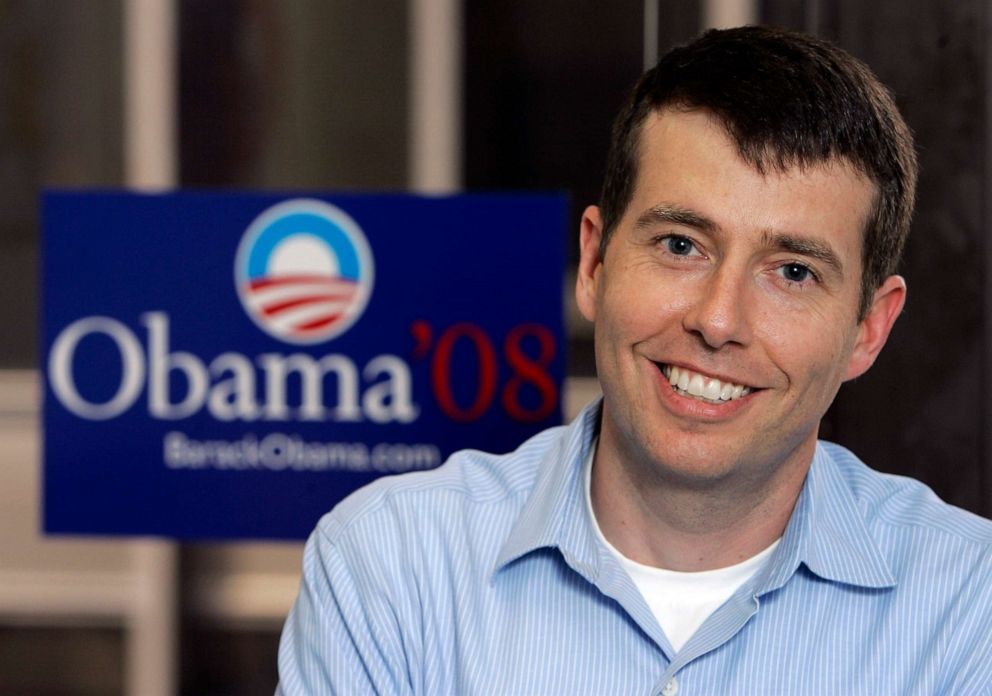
[(657, 522)]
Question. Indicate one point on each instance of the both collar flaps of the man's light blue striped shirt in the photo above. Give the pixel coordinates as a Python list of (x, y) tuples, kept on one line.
[(827, 531)]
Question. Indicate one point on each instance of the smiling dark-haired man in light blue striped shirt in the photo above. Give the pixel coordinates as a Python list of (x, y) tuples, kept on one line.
[(687, 534)]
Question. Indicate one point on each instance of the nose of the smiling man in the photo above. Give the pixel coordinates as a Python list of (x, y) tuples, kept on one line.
[(720, 312)]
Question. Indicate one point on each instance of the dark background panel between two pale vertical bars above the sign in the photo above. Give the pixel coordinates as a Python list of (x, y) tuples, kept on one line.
[(303, 94)]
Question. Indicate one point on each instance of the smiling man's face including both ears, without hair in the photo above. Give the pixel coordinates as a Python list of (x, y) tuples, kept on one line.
[(747, 285)]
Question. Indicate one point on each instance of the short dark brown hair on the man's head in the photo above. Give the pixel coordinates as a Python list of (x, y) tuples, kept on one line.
[(786, 99)]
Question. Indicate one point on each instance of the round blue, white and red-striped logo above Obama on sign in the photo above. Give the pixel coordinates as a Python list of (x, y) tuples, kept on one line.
[(304, 271)]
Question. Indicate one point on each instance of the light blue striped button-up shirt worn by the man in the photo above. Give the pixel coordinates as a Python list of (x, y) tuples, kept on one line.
[(485, 577)]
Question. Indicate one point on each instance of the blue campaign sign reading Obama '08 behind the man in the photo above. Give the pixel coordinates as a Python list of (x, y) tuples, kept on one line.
[(232, 365)]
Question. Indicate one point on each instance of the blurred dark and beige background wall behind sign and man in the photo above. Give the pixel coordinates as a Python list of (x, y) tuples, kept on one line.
[(325, 94)]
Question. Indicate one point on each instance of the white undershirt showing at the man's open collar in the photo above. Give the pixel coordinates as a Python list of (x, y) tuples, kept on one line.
[(680, 601)]
